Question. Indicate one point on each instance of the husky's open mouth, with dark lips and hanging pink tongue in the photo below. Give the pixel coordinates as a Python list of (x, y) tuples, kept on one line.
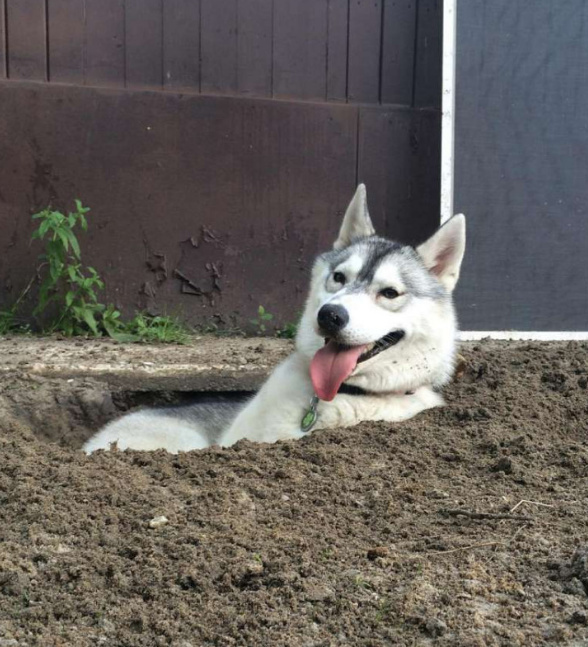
[(334, 362)]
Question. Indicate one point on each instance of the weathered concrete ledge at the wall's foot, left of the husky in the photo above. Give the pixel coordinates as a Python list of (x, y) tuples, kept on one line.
[(206, 364)]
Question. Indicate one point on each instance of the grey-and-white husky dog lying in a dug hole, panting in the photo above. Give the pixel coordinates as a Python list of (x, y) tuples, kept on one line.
[(376, 342)]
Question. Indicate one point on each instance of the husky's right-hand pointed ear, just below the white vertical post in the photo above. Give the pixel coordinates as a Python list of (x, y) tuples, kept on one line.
[(443, 252)]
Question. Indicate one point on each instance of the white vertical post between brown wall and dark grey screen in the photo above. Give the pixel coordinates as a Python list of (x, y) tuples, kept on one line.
[(448, 108)]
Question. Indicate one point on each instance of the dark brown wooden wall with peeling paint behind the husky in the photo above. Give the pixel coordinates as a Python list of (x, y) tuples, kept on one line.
[(216, 141)]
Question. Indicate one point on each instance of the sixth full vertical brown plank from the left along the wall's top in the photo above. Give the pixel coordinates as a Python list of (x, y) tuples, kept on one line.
[(218, 38)]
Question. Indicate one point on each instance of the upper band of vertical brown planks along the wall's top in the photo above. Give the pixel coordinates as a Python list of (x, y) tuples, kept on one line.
[(363, 51)]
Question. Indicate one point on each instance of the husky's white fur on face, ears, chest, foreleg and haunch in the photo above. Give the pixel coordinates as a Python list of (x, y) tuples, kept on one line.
[(422, 360)]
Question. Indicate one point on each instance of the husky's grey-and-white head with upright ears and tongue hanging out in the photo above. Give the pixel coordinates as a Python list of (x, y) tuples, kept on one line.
[(382, 310)]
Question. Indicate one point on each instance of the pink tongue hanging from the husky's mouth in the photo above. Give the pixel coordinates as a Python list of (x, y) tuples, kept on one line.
[(331, 366)]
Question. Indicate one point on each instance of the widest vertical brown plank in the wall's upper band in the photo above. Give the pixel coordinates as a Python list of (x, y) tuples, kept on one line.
[(300, 49)]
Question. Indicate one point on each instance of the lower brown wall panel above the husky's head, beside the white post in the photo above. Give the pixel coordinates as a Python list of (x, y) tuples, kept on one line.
[(399, 160)]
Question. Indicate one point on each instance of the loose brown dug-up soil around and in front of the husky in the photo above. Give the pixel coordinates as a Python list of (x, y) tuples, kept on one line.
[(348, 537)]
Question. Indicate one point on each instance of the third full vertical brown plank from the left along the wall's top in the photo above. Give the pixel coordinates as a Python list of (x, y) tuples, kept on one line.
[(105, 40)]
